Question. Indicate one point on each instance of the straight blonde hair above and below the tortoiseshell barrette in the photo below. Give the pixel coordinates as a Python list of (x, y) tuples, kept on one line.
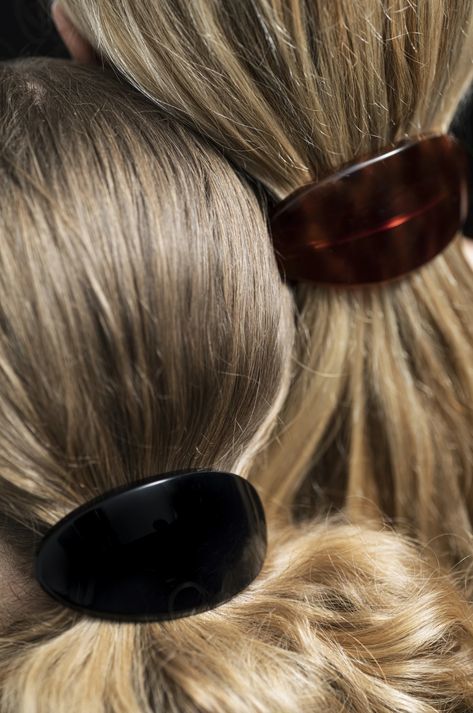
[(380, 412)]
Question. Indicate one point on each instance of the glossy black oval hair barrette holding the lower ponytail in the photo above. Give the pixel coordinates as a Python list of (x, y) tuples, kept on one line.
[(166, 547)]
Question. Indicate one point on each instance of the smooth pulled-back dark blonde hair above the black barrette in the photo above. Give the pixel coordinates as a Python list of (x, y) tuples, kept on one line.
[(119, 245)]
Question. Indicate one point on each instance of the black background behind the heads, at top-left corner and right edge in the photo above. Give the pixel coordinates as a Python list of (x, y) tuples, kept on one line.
[(26, 29)]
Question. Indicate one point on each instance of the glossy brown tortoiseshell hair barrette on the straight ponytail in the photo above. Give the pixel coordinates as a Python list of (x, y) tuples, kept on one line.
[(376, 220)]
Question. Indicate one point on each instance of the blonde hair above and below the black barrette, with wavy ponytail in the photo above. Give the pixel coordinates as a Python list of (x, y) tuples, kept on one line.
[(144, 327)]
